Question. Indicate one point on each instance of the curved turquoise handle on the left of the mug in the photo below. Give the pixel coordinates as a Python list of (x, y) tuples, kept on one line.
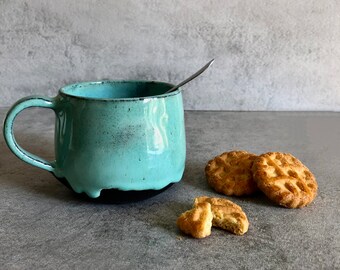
[(20, 105)]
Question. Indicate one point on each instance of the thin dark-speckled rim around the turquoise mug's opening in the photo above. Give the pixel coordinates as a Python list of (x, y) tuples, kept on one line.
[(82, 84)]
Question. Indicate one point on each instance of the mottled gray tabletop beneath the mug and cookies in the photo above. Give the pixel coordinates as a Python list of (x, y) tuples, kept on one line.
[(44, 226)]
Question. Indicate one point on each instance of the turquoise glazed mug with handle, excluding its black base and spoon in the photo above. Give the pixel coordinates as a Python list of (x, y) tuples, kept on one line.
[(119, 135)]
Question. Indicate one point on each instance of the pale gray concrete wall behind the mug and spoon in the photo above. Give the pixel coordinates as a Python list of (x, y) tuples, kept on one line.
[(270, 55)]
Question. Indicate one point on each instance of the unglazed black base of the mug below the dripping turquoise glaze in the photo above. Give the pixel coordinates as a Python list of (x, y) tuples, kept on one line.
[(116, 196)]
